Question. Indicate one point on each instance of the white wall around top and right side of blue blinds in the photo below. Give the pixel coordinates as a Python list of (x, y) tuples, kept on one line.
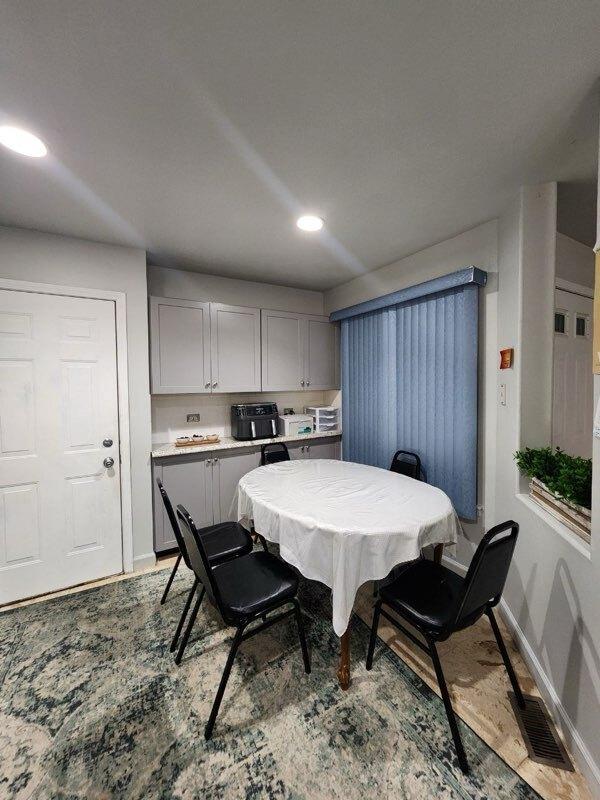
[(476, 247)]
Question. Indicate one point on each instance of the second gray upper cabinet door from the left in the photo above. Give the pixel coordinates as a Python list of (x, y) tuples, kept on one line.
[(235, 348)]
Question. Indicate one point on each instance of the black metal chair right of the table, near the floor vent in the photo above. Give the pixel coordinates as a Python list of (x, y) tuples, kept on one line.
[(438, 602)]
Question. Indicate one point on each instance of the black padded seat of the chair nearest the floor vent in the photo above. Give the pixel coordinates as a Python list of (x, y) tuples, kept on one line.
[(426, 595)]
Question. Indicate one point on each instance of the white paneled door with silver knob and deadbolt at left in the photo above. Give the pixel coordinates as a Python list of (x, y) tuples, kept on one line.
[(60, 506)]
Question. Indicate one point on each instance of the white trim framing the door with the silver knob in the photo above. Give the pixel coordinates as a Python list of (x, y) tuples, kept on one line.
[(120, 301)]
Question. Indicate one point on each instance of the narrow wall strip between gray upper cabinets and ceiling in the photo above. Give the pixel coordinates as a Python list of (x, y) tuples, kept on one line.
[(213, 288)]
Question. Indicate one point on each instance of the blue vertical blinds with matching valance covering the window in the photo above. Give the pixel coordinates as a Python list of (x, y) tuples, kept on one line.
[(409, 381)]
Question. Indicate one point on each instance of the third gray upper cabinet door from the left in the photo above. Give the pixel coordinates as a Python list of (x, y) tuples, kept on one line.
[(282, 336)]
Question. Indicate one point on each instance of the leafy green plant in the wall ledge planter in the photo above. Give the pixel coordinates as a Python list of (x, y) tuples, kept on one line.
[(569, 477)]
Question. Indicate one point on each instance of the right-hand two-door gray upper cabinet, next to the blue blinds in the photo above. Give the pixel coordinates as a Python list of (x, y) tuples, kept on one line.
[(299, 352)]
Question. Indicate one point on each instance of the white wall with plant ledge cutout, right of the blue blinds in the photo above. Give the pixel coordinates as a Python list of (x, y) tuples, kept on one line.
[(551, 595)]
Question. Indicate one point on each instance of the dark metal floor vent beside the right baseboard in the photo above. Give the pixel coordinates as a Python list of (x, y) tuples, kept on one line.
[(539, 734)]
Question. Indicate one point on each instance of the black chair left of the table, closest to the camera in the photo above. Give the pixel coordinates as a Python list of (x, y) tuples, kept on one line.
[(243, 590)]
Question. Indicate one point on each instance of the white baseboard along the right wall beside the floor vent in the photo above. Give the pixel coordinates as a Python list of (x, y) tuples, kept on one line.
[(585, 760)]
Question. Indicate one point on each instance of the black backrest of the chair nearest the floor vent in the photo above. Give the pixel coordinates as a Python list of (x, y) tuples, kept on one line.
[(484, 582)]
